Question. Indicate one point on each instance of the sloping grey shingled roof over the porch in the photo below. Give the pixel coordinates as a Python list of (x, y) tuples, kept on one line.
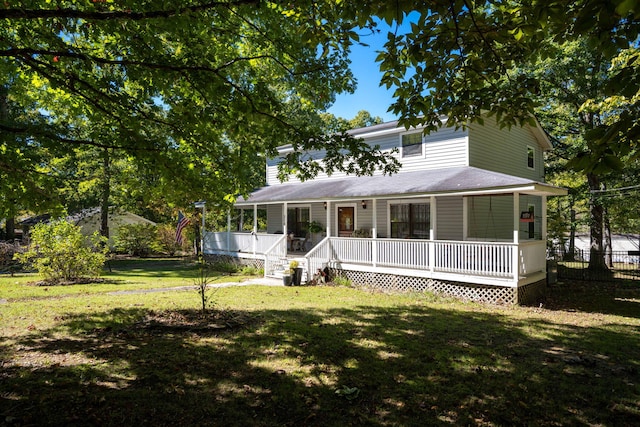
[(465, 180)]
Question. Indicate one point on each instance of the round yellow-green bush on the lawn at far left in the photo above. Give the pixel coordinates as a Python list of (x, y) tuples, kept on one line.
[(60, 253)]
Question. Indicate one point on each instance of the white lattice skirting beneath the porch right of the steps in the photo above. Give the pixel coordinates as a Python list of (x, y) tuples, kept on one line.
[(527, 294)]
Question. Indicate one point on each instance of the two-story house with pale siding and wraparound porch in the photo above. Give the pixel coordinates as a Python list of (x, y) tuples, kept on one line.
[(465, 216)]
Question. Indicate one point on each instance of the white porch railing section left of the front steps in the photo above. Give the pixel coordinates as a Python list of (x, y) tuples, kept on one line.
[(221, 242)]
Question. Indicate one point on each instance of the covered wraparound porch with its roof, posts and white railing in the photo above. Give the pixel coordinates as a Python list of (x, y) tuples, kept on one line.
[(448, 229)]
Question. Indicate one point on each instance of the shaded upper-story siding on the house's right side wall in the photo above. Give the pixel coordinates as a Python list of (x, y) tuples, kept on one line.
[(504, 150)]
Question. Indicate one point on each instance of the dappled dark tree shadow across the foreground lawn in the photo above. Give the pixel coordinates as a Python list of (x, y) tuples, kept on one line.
[(369, 366)]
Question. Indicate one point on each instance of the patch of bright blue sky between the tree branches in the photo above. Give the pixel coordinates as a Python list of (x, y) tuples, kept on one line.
[(369, 95)]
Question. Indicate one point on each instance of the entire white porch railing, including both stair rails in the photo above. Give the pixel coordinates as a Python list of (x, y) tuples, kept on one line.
[(504, 264)]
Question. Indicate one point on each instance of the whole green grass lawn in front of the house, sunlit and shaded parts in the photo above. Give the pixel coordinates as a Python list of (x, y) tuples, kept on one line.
[(315, 356)]
